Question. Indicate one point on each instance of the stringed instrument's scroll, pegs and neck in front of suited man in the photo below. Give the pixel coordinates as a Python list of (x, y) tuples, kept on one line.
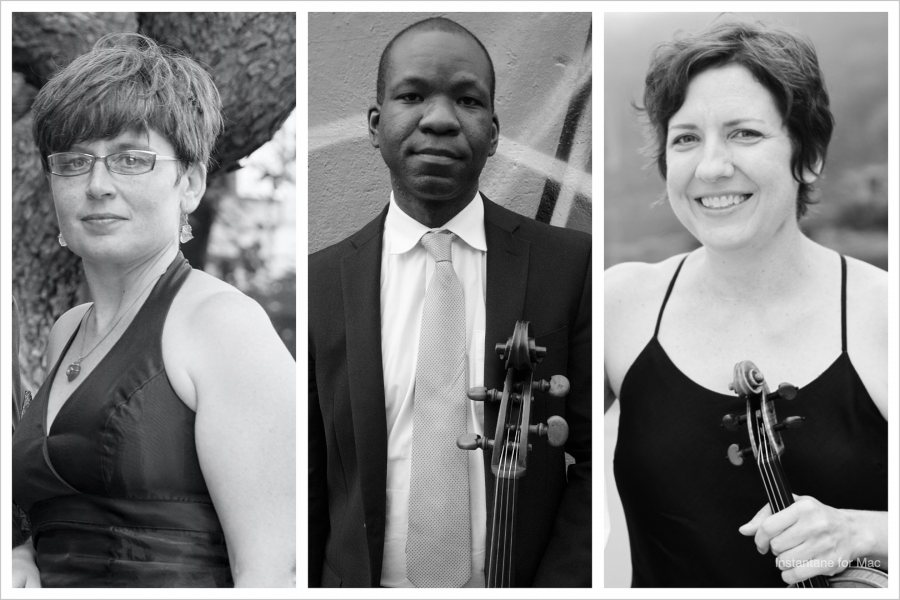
[(511, 442)]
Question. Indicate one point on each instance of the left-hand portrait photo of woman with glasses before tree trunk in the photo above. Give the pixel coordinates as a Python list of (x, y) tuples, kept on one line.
[(153, 290)]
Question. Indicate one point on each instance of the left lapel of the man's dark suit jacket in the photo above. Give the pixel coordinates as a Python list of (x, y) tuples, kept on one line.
[(361, 285)]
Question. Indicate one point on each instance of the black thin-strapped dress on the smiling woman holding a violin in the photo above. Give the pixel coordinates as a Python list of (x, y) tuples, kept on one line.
[(684, 501)]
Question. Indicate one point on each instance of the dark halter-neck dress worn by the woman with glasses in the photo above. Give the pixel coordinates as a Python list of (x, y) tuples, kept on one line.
[(114, 490)]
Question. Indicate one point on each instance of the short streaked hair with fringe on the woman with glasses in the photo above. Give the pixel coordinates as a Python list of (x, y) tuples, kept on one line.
[(129, 82)]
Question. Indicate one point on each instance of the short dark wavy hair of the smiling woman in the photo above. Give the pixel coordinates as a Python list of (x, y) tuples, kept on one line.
[(784, 62)]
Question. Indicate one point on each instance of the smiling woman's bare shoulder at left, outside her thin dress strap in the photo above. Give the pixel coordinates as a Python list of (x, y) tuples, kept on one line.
[(632, 295)]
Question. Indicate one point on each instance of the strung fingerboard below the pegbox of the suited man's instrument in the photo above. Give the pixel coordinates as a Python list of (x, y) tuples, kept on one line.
[(500, 562)]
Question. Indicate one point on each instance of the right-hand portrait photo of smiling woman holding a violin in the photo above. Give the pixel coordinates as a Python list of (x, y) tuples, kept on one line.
[(746, 312)]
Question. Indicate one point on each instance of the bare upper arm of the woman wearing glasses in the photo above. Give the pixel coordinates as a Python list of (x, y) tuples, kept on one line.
[(244, 381)]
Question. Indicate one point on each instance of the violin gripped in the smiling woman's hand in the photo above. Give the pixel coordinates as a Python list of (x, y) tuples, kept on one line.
[(767, 447)]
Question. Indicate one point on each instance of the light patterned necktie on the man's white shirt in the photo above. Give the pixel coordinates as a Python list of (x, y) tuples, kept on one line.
[(438, 543)]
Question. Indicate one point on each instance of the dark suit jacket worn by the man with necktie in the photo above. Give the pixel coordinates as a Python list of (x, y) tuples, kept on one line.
[(535, 272)]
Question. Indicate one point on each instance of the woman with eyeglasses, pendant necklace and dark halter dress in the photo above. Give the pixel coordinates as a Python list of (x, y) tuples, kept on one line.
[(160, 449)]
